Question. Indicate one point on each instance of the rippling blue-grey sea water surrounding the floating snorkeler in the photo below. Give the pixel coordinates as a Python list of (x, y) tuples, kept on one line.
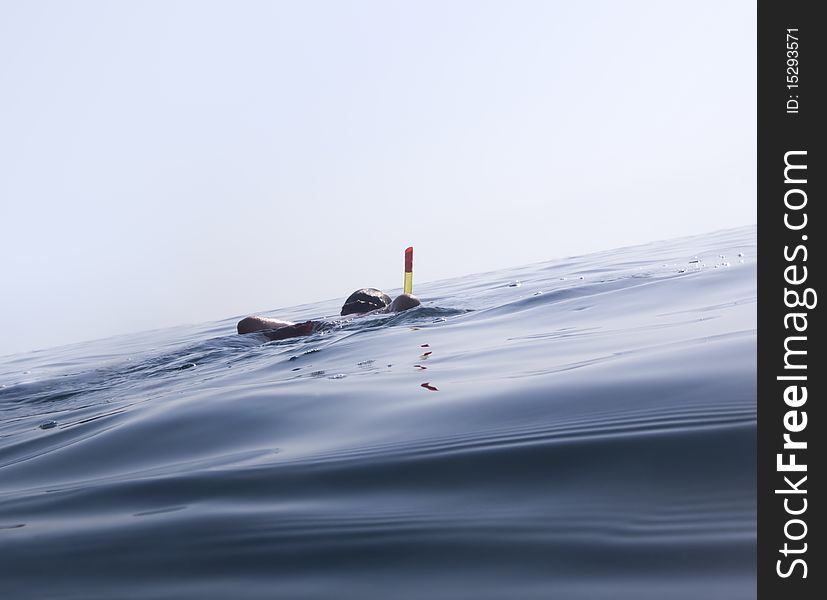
[(579, 428)]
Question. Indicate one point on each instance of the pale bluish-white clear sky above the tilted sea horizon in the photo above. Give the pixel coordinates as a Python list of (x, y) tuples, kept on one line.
[(175, 162)]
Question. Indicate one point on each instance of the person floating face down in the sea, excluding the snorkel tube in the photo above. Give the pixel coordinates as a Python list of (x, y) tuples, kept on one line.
[(361, 302)]
